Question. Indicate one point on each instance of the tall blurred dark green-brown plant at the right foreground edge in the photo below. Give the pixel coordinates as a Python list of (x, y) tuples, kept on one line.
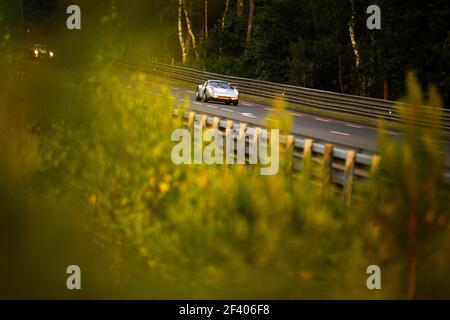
[(410, 196)]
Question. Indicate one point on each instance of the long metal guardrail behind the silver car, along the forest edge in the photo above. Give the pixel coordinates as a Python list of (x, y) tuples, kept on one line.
[(357, 107)]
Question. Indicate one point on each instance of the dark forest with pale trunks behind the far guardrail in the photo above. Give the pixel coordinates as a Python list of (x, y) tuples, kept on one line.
[(299, 42)]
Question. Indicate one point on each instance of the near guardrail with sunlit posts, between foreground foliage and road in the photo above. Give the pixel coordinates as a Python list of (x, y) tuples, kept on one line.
[(330, 165)]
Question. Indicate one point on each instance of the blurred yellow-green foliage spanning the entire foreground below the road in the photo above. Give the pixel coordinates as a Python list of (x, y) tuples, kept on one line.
[(86, 178)]
